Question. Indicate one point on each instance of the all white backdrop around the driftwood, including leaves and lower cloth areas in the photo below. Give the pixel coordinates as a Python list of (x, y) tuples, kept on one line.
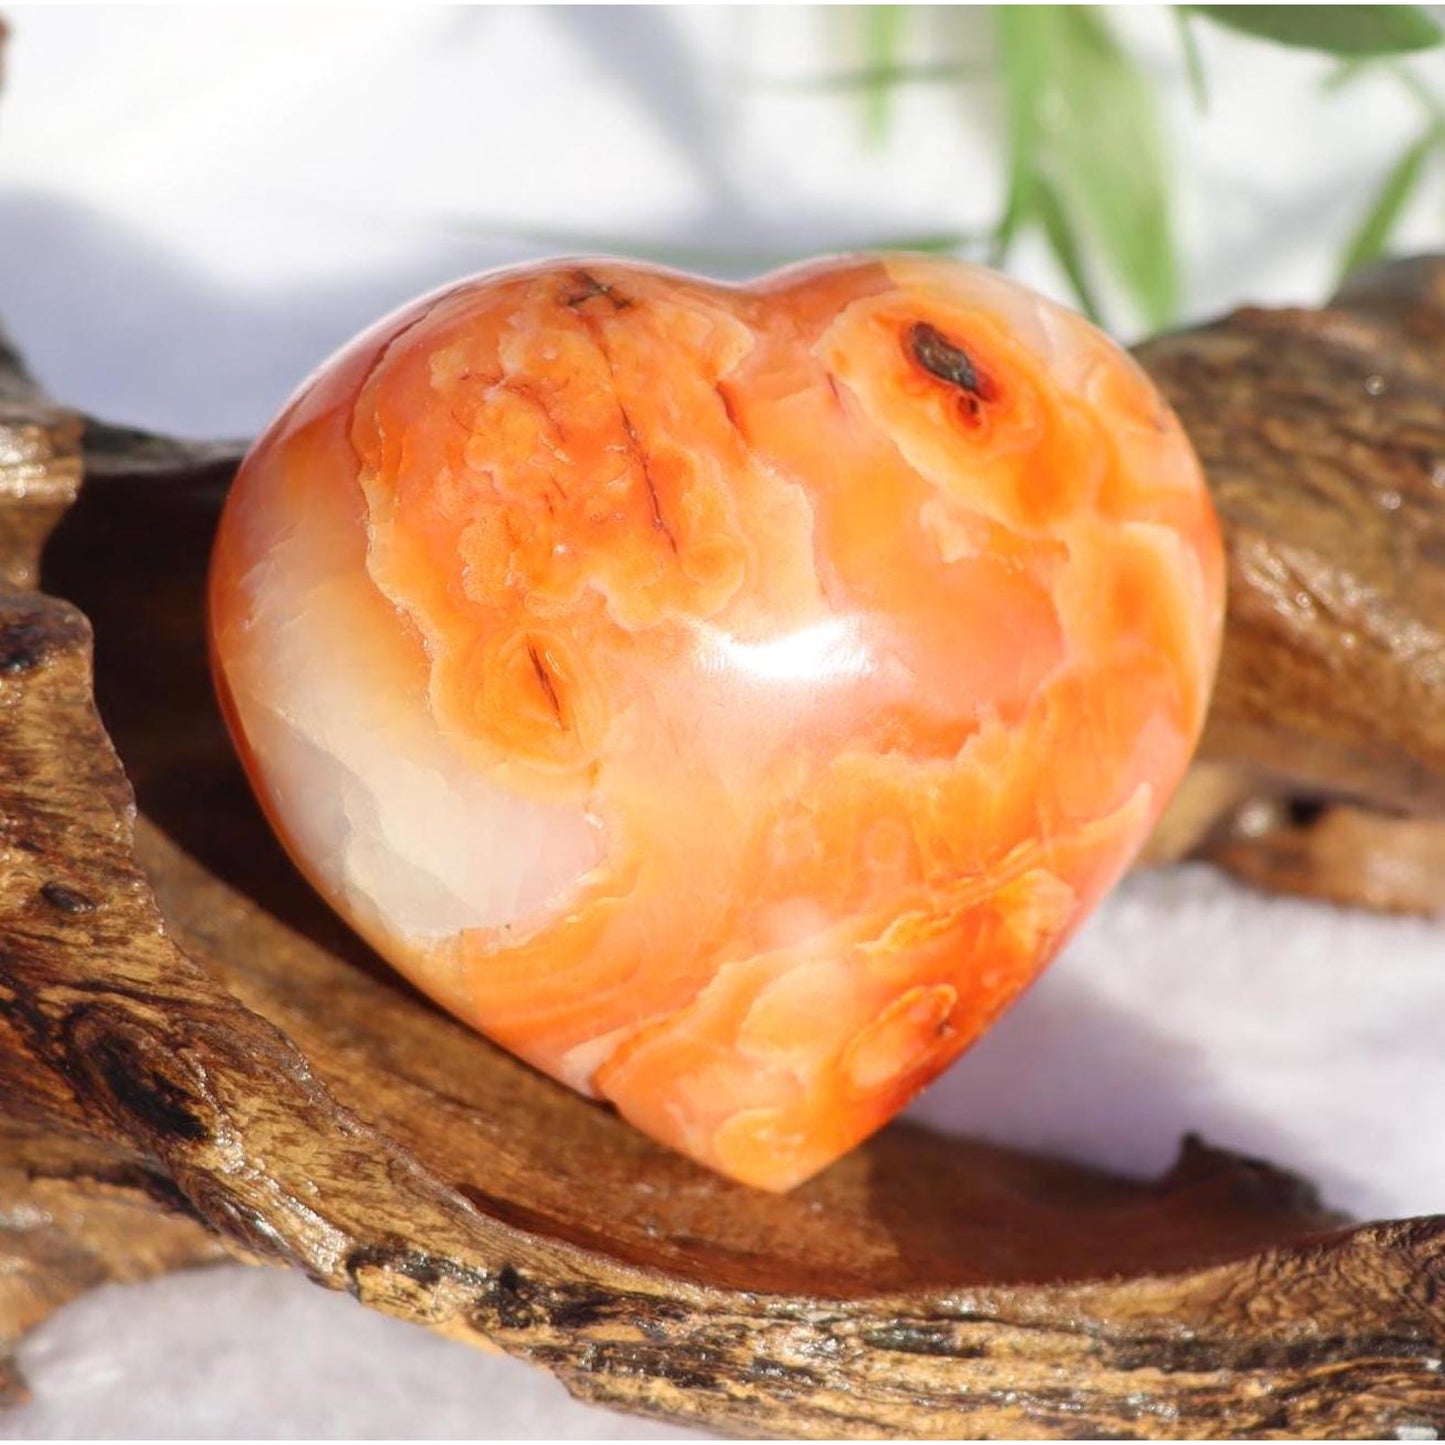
[(197, 206)]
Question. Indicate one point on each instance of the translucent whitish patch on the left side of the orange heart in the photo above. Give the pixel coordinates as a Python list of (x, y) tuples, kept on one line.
[(391, 817)]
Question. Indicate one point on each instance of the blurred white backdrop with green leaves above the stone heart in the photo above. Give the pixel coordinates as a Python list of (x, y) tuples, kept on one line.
[(222, 196)]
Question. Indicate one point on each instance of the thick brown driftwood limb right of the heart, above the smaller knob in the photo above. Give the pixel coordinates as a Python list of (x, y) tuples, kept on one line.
[(1323, 434)]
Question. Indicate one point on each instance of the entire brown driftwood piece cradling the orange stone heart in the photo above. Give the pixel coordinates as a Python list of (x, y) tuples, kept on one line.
[(194, 1056)]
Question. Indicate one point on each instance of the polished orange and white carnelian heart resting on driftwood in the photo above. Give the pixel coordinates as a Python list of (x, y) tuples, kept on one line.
[(728, 700)]
